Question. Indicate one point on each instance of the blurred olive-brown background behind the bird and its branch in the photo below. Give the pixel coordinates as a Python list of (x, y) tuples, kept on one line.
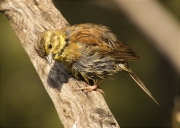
[(25, 103)]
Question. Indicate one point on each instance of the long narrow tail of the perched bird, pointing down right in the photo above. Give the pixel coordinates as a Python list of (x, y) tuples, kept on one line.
[(137, 80)]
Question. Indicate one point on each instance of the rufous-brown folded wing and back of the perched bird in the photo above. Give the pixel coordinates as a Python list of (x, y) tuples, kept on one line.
[(99, 39)]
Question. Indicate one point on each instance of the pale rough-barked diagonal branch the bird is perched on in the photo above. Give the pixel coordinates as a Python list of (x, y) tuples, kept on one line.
[(28, 19)]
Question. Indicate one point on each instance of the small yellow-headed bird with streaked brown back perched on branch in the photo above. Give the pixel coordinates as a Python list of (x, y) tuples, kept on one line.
[(90, 52)]
